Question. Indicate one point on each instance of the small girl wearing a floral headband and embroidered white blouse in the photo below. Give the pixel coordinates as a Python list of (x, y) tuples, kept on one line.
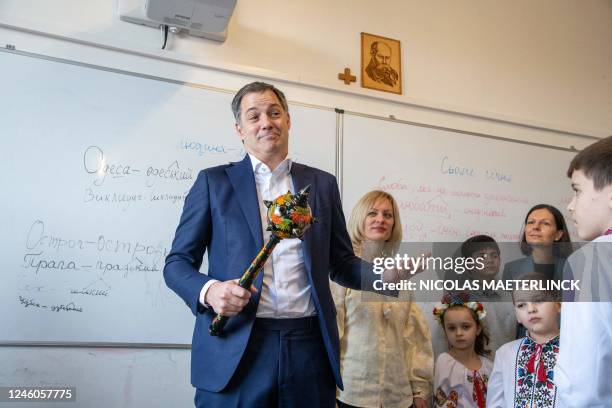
[(461, 375)]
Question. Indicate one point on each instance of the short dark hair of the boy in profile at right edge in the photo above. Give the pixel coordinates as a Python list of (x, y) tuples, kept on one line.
[(595, 161)]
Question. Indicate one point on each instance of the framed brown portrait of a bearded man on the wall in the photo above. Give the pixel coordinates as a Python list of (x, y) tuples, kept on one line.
[(381, 63)]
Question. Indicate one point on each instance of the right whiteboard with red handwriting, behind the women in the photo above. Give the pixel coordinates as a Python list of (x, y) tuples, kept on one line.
[(449, 185)]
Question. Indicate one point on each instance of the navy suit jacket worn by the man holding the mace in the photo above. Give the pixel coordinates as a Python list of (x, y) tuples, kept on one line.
[(221, 216)]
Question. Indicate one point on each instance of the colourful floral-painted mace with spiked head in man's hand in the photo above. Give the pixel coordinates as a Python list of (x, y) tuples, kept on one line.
[(289, 216)]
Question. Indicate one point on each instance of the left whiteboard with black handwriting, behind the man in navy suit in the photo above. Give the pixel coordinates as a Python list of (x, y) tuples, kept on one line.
[(95, 169)]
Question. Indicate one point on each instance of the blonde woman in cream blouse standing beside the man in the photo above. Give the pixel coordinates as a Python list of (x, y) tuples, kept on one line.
[(386, 355)]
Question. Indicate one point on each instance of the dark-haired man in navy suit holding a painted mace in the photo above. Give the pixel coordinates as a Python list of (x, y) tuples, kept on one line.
[(280, 347)]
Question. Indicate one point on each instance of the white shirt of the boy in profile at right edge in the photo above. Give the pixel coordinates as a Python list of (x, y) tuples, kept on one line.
[(584, 365)]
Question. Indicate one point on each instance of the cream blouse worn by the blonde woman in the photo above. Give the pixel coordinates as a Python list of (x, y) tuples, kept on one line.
[(386, 356)]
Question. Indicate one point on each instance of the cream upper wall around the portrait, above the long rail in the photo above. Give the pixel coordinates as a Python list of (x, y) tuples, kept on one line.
[(544, 63)]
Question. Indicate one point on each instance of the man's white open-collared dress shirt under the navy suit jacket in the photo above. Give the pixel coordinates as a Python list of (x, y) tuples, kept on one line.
[(285, 292)]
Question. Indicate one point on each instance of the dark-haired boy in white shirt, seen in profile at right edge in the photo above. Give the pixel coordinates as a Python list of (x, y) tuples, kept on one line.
[(584, 367)]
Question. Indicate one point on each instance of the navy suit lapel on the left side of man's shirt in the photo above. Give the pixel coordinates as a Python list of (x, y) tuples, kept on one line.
[(243, 181)]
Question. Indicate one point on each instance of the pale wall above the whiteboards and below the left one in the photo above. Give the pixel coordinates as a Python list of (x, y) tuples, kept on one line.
[(525, 65)]
